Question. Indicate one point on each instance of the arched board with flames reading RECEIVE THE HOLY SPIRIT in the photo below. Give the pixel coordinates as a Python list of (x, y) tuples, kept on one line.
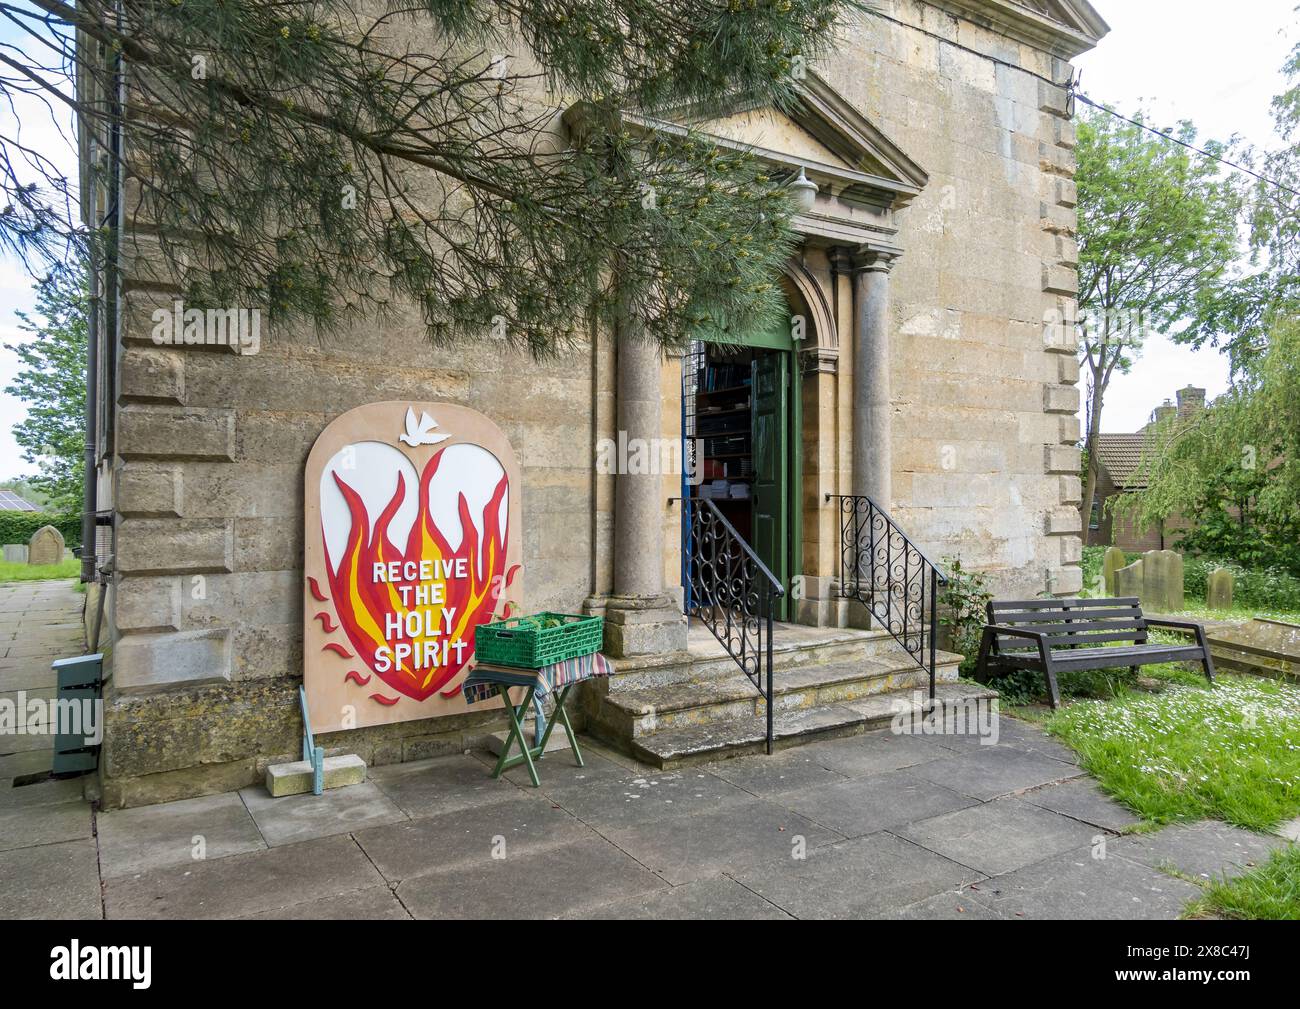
[(413, 540)]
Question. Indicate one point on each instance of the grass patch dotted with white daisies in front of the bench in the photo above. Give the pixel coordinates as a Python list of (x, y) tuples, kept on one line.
[(1193, 752)]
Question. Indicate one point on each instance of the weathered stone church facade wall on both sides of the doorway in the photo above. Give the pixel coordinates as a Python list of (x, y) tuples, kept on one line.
[(978, 414)]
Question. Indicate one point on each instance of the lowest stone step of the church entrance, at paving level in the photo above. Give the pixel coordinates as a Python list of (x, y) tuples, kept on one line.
[(738, 738)]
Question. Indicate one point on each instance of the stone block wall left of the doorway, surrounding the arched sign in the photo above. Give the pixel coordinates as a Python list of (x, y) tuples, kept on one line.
[(210, 448)]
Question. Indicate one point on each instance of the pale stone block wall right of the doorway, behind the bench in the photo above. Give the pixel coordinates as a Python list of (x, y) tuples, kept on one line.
[(986, 374)]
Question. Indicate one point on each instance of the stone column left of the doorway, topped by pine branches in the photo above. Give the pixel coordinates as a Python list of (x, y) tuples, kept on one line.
[(640, 618)]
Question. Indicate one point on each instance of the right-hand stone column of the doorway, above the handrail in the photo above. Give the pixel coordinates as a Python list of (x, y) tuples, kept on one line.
[(873, 461)]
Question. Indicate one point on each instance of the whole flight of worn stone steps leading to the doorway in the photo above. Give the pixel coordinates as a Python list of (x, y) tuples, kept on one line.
[(697, 707)]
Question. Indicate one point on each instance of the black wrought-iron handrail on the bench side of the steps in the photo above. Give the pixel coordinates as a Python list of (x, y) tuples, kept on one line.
[(891, 577)]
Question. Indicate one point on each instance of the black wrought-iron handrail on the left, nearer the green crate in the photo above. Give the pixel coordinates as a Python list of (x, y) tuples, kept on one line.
[(729, 590)]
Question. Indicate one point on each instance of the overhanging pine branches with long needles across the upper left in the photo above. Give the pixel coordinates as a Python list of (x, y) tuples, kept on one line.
[(331, 159)]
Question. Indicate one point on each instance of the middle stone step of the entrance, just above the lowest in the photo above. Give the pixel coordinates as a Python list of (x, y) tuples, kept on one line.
[(623, 714)]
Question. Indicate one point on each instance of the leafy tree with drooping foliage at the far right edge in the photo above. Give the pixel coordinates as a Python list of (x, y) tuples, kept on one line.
[(1236, 471)]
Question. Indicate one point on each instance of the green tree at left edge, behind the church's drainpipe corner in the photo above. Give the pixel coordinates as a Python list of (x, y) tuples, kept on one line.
[(53, 383)]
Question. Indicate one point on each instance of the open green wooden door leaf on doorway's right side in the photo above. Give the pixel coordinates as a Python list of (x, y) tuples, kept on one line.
[(772, 467)]
